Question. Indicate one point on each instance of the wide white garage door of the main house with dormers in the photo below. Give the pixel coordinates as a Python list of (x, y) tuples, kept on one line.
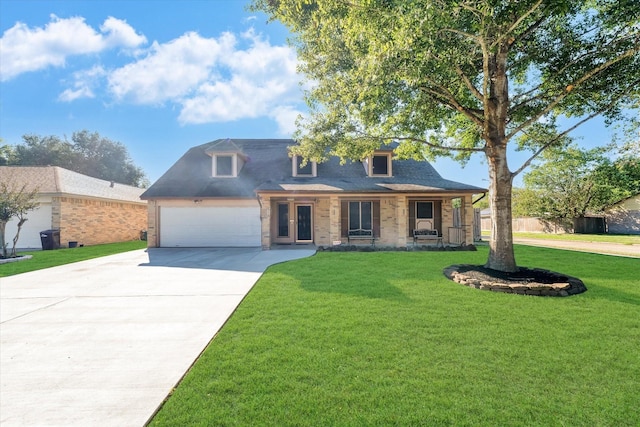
[(210, 227)]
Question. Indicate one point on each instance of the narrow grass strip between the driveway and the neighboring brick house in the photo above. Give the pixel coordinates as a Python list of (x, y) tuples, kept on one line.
[(46, 259)]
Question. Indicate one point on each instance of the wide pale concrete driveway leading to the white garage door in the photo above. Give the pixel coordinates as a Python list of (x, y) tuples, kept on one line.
[(102, 342)]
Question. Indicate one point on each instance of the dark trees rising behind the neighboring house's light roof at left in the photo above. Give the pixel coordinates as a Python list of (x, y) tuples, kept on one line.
[(87, 153)]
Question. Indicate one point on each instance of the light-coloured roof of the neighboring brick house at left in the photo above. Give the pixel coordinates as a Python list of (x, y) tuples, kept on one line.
[(56, 180)]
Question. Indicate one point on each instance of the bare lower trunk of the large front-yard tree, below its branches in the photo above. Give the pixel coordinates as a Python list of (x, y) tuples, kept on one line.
[(501, 256)]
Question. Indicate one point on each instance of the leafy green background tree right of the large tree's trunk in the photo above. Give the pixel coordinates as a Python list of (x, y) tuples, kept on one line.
[(572, 182)]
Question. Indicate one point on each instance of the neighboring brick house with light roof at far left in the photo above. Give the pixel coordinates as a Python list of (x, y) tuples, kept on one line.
[(86, 210)]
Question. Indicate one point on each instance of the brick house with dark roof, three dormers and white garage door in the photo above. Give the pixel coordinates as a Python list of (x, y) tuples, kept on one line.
[(252, 192)]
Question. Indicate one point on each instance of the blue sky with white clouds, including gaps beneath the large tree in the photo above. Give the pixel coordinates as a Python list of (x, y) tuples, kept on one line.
[(161, 77)]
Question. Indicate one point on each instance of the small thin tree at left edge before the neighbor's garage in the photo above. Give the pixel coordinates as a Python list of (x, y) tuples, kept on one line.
[(15, 202)]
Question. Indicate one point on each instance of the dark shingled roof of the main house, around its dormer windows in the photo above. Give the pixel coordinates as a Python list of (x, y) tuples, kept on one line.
[(268, 169)]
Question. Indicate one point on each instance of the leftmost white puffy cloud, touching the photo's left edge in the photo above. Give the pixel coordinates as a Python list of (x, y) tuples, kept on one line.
[(24, 49)]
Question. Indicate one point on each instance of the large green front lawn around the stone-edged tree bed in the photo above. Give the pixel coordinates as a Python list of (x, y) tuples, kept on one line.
[(377, 339)]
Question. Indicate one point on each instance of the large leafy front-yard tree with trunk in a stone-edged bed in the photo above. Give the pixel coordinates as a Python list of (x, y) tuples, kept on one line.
[(459, 77)]
